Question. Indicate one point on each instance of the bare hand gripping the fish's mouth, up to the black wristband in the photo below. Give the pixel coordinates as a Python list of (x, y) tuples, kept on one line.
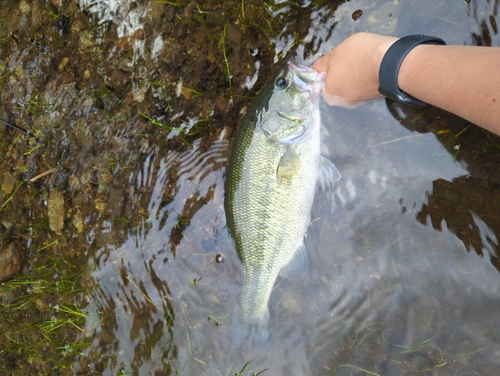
[(352, 69)]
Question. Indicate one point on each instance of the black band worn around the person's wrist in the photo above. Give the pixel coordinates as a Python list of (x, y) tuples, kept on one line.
[(389, 68)]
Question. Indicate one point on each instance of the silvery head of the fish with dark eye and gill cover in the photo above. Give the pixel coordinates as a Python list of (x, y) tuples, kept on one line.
[(292, 99)]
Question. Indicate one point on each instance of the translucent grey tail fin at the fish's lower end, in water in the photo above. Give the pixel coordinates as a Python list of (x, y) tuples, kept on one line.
[(250, 329)]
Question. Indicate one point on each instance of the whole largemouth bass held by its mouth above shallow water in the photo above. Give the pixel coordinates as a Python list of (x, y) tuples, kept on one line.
[(271, 179)]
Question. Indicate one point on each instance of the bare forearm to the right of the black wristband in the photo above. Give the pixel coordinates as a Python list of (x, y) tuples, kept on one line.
[(463, 80)]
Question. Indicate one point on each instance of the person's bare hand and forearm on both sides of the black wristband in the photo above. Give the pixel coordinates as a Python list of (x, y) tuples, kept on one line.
[(464, 80)]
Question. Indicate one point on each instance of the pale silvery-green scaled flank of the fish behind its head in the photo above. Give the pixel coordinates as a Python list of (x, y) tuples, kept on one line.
[(263, 223)]
